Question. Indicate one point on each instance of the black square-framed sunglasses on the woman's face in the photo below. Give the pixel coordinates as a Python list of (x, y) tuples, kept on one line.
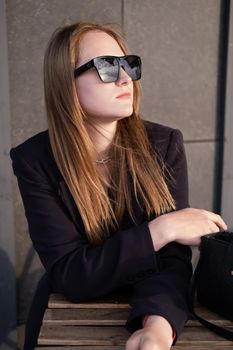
[(108, 67)]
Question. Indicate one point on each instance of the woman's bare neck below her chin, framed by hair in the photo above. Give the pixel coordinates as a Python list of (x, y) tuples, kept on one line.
[(102, 136)]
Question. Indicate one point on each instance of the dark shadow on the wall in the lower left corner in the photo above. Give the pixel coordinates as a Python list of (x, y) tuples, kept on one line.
[(27, 283)]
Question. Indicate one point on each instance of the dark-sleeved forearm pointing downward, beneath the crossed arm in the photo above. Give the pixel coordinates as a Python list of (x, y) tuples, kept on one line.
[(164, 293)]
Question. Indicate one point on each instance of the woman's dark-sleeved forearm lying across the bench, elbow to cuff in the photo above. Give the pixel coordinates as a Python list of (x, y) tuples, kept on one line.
[(89, 272)]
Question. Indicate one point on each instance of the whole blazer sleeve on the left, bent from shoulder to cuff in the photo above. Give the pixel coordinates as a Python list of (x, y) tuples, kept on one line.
[(77, 269)]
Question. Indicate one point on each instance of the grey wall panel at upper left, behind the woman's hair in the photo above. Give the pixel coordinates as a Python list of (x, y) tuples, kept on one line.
[(30, 25)]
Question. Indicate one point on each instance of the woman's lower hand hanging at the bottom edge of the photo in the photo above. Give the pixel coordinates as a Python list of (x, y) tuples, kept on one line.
[(156, 335)]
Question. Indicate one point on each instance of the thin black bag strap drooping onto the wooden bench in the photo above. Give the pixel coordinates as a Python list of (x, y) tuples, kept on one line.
[(223, 332)]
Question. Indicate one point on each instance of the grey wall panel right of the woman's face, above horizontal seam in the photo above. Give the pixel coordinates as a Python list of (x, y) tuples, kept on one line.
[(178, 42)]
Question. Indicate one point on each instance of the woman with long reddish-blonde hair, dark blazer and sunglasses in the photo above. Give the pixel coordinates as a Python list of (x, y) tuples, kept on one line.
[(105, 193)]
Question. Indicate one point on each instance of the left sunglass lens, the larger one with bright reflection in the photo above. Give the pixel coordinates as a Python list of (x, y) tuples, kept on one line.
[(107, 68)]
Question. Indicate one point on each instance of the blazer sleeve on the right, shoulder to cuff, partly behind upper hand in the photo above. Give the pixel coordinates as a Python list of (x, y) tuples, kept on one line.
[(165, 293)]
